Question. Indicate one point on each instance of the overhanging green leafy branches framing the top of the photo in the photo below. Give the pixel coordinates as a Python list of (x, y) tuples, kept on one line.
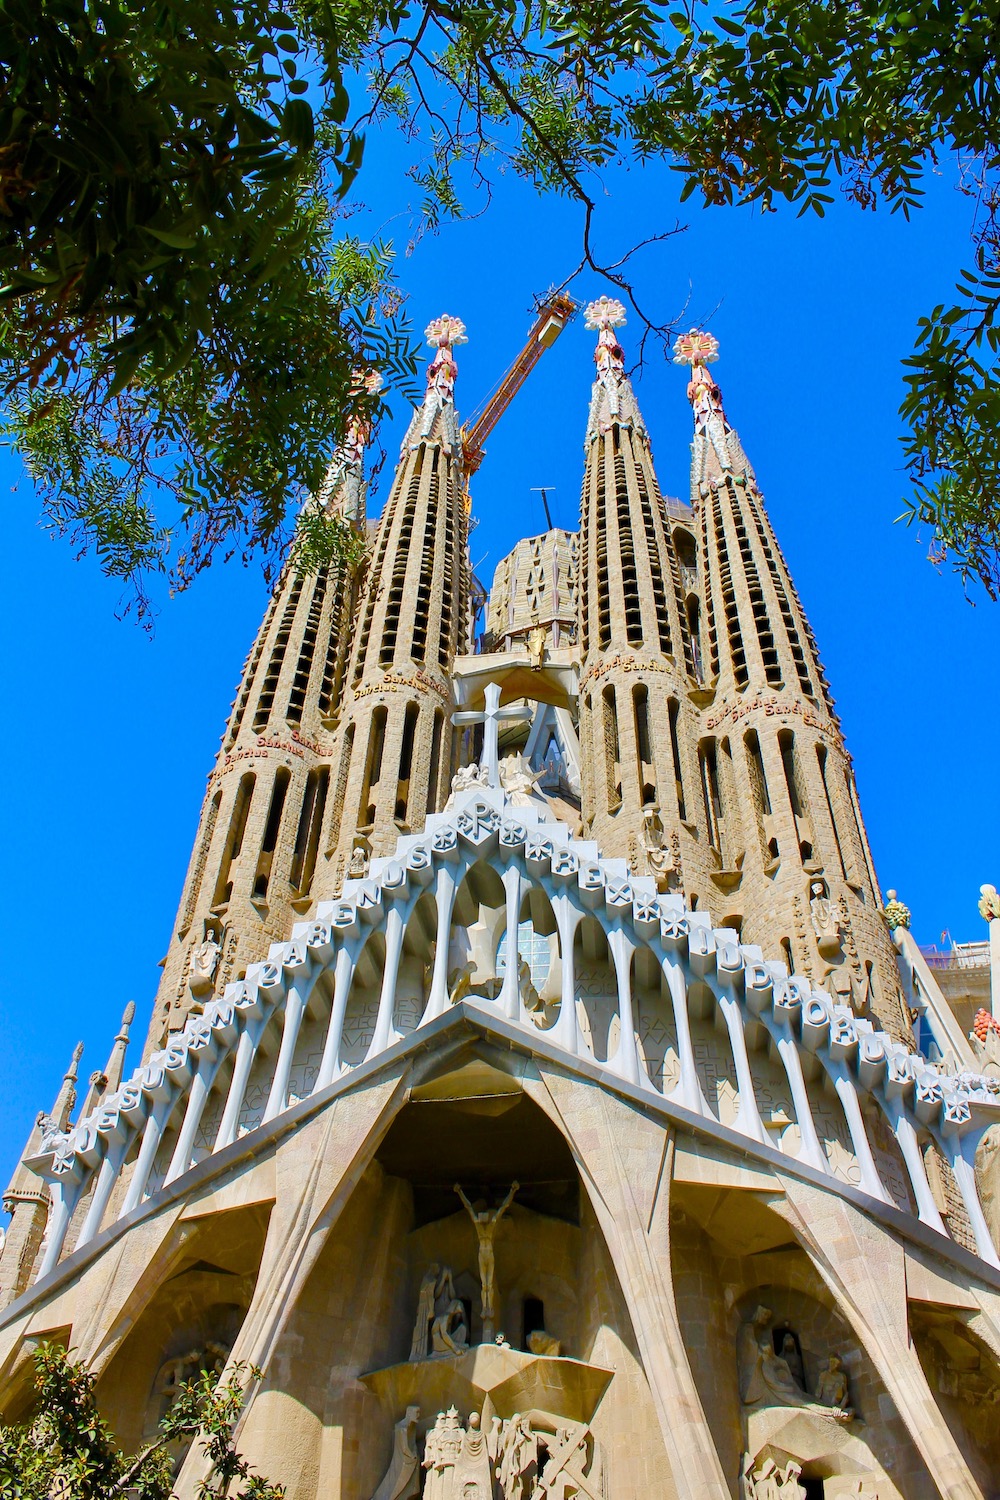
[(187, 314)]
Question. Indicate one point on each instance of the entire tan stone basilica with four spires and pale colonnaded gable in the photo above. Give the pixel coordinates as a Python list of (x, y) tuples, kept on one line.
[(539, 1091)]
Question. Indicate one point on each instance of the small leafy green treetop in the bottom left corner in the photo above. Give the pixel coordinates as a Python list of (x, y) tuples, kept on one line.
[(67, 1451)]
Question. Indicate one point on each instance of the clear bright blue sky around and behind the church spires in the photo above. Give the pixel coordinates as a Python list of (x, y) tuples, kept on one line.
[(112, 734)]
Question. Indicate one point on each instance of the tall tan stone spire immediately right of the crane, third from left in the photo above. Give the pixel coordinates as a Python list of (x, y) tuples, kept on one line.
[(638, 661)]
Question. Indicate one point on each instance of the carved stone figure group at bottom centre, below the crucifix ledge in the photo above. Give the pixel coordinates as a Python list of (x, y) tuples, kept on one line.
[(527, 1457)]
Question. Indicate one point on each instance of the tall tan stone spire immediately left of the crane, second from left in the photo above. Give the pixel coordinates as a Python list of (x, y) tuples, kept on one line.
[(394, 755)]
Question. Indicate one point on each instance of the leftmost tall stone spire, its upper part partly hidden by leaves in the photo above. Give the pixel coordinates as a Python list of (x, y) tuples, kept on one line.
[(259, 836)]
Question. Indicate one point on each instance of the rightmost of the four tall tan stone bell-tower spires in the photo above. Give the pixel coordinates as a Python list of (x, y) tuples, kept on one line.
[(777, 788)]
